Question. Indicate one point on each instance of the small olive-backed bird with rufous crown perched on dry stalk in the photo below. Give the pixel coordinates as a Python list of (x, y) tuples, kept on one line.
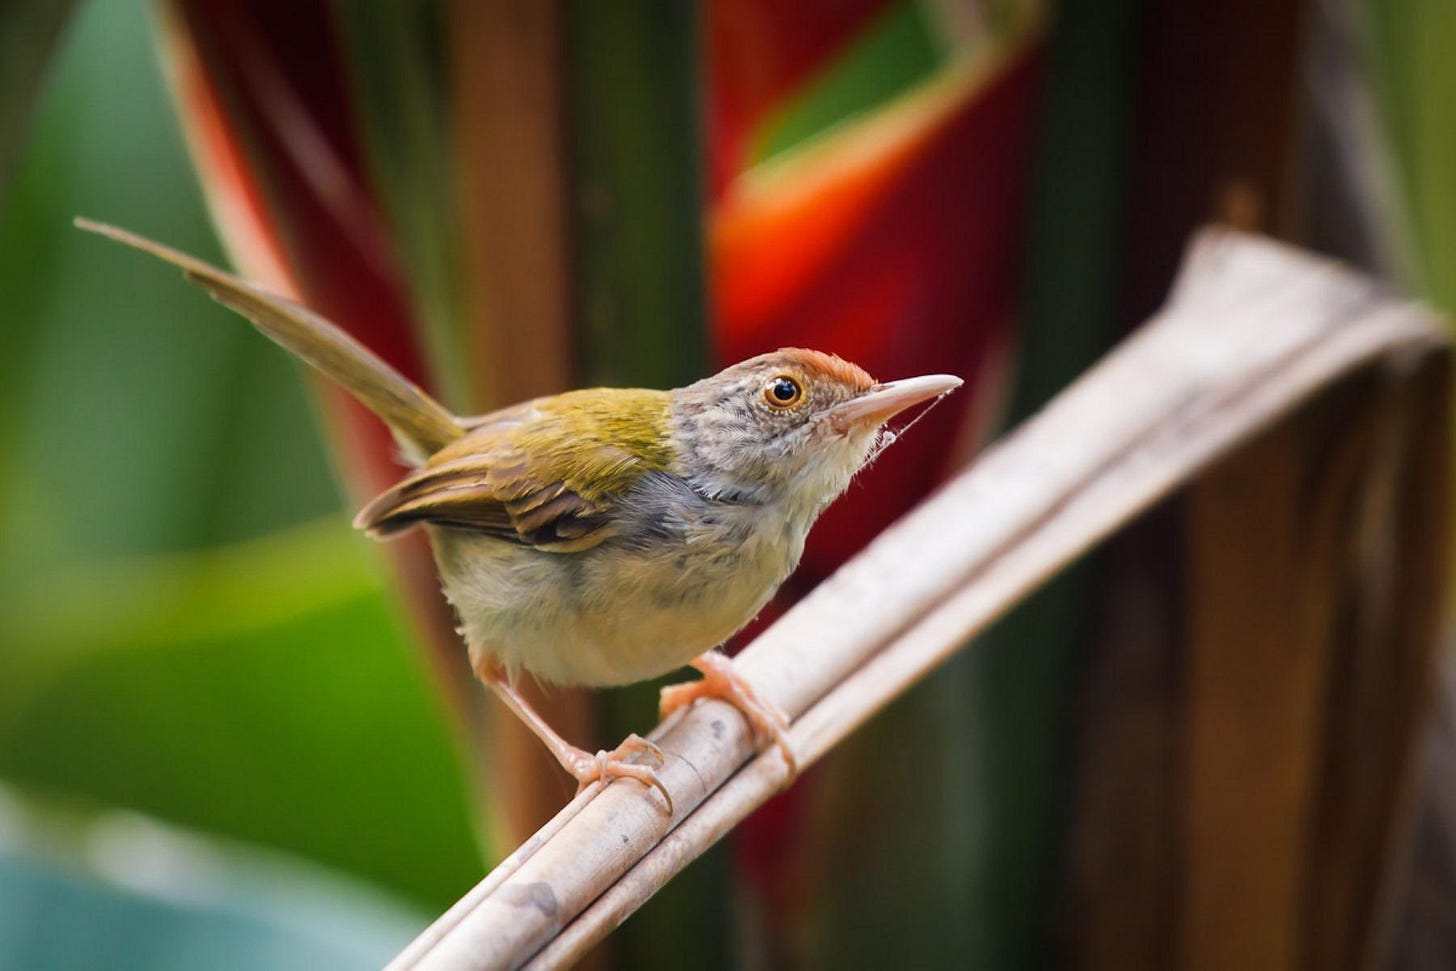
[(605, 536)]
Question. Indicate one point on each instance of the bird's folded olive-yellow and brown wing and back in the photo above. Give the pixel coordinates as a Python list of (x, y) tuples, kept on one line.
[(547, 474)]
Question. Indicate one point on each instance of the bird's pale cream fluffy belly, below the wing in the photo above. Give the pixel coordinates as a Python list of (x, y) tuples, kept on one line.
[(605, 617)]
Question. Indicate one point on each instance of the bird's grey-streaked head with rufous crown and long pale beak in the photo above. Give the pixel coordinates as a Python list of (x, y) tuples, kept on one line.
[(790, 427)]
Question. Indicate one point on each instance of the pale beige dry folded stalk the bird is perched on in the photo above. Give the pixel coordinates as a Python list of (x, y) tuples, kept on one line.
[(1253, 331)]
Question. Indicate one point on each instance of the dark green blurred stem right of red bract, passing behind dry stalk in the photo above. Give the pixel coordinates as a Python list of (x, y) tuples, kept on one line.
[(976, 851)]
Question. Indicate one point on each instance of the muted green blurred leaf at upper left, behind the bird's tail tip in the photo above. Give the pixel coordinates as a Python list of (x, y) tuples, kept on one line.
[(135, 414)]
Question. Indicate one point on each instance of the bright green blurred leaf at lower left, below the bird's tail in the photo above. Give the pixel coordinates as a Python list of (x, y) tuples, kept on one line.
[(264, 692)]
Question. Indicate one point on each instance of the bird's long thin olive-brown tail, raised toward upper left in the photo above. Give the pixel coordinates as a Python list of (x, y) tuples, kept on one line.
[(419, 421)]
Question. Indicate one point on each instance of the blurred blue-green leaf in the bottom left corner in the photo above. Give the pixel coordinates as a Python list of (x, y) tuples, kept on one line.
[(132, 893)]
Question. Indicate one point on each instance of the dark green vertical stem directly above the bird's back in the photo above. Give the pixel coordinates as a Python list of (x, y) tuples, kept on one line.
[(637, 151)]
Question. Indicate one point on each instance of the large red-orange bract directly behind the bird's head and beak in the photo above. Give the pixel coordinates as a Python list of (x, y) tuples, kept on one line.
[(902, 258)]
